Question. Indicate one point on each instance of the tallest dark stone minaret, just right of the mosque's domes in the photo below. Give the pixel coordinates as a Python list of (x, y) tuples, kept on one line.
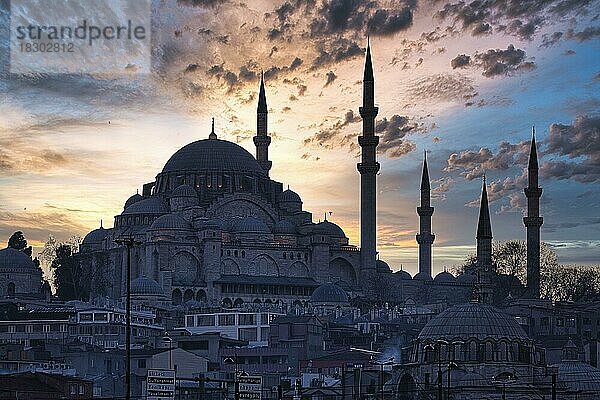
[(368, 168)]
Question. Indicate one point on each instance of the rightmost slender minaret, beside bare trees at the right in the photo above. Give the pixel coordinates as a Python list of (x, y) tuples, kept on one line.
[(533, 222)]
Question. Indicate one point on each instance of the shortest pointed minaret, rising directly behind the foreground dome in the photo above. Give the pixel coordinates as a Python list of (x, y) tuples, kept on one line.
[(484, 248)]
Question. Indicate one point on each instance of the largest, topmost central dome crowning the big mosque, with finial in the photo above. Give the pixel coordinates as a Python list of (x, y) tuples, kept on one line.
[(212, 154)]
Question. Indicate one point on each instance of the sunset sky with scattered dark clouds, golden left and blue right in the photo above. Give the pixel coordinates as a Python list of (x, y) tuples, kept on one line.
[(464, 81)]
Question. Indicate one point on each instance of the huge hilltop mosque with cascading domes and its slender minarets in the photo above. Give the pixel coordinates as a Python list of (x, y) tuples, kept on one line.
[(214, 227)]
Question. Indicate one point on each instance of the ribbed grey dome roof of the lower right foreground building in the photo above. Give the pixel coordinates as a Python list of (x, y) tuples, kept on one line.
[(472, 320)]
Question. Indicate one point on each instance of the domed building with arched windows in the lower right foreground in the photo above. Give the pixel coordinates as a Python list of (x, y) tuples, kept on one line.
[(473, 348)]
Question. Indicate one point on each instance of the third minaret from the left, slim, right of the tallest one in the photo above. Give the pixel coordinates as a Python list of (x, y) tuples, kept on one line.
[(425, 238)]
